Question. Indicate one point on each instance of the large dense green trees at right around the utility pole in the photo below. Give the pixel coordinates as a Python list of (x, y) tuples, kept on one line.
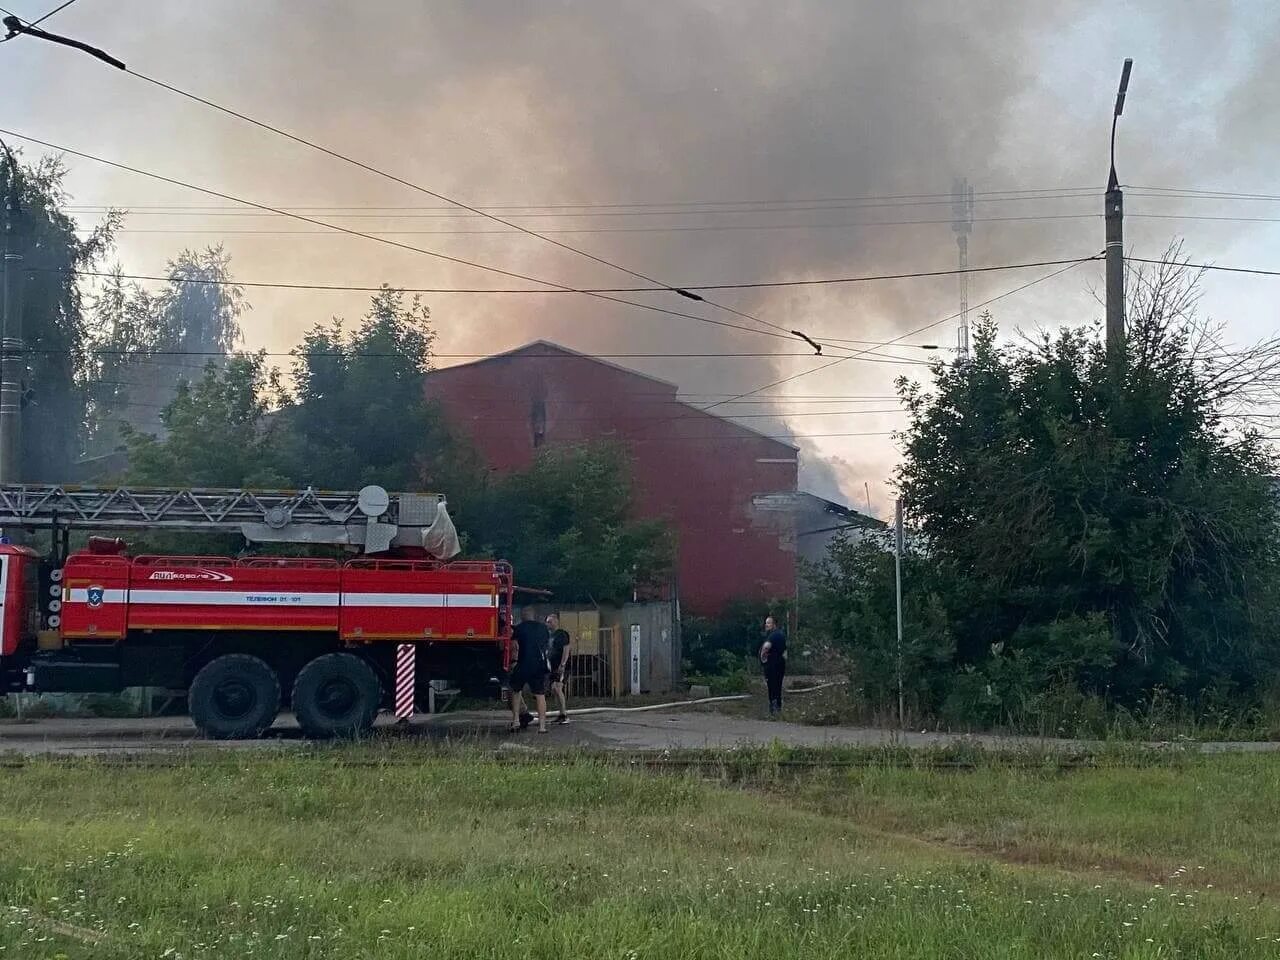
[(1073, 529)]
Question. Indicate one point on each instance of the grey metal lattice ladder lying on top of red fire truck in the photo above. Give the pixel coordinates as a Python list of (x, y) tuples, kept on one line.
[(372, 518)]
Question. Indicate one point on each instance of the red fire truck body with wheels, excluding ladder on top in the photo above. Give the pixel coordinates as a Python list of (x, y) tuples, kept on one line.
[(244, 638)]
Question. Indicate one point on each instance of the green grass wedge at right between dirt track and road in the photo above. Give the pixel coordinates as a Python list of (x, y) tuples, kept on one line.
[(1181, 820)]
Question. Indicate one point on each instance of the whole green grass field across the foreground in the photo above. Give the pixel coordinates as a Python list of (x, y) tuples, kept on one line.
[(419, 853)]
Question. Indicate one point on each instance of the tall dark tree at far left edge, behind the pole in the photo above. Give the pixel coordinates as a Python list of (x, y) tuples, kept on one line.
[(53, 312)]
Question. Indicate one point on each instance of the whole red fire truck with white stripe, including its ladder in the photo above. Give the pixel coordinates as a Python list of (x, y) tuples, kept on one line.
[(248, 637)]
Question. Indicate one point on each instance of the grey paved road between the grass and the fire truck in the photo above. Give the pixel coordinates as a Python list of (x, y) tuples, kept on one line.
[(678, 729)]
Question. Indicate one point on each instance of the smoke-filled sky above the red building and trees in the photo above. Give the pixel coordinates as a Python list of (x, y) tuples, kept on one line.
[(753, 141)]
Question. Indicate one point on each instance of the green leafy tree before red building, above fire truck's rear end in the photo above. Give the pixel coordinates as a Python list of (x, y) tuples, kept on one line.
[(566, 525)]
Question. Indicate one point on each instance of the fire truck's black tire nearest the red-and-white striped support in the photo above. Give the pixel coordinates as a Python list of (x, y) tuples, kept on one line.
[(337, 696)]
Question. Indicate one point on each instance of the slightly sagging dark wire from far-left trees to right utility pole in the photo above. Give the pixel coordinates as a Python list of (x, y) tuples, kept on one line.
[(748, 285)]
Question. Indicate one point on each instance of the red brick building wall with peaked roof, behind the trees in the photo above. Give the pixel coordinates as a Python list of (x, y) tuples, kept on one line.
[(715, 481)]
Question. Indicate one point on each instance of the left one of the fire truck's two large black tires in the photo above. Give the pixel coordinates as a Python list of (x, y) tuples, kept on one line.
[(235, 697)]
